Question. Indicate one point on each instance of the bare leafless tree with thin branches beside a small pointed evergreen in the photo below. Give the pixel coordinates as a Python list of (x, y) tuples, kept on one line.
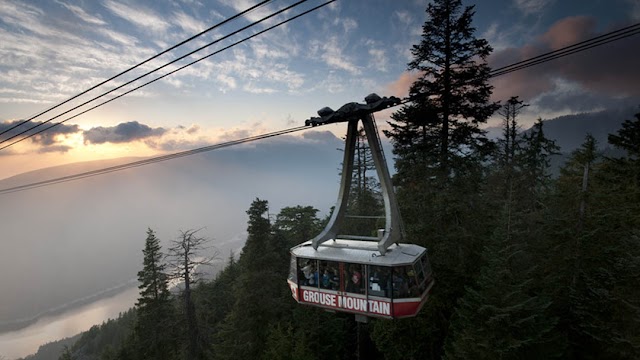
[(185, 260)]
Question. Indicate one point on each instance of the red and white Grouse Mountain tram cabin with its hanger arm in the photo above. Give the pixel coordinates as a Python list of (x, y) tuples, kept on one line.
[(369, 276)]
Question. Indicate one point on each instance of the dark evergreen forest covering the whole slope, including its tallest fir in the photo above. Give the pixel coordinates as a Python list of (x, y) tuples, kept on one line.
[(526, 266)]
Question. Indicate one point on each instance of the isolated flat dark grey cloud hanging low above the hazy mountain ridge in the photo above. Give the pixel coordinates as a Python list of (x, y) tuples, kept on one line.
[(121, 133)]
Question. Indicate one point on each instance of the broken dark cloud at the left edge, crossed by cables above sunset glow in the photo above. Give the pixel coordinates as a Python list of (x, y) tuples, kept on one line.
[(47, 138)]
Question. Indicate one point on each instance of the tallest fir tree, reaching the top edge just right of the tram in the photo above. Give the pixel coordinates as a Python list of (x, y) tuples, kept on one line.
[(440, 152)]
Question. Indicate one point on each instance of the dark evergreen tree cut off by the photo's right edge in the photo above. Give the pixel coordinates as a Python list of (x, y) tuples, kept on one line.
[(605, 299)]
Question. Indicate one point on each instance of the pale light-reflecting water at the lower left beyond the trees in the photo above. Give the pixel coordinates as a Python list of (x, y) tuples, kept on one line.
[(23, 342)]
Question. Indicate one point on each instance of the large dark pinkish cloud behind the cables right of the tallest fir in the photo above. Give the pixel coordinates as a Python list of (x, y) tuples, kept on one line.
[(610, 70)]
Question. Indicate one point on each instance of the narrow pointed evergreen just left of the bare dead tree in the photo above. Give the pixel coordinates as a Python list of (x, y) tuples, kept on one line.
[(155, 311)]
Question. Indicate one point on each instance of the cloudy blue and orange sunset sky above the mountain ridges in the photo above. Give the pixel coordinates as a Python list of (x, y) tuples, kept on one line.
[(53, 50)]
